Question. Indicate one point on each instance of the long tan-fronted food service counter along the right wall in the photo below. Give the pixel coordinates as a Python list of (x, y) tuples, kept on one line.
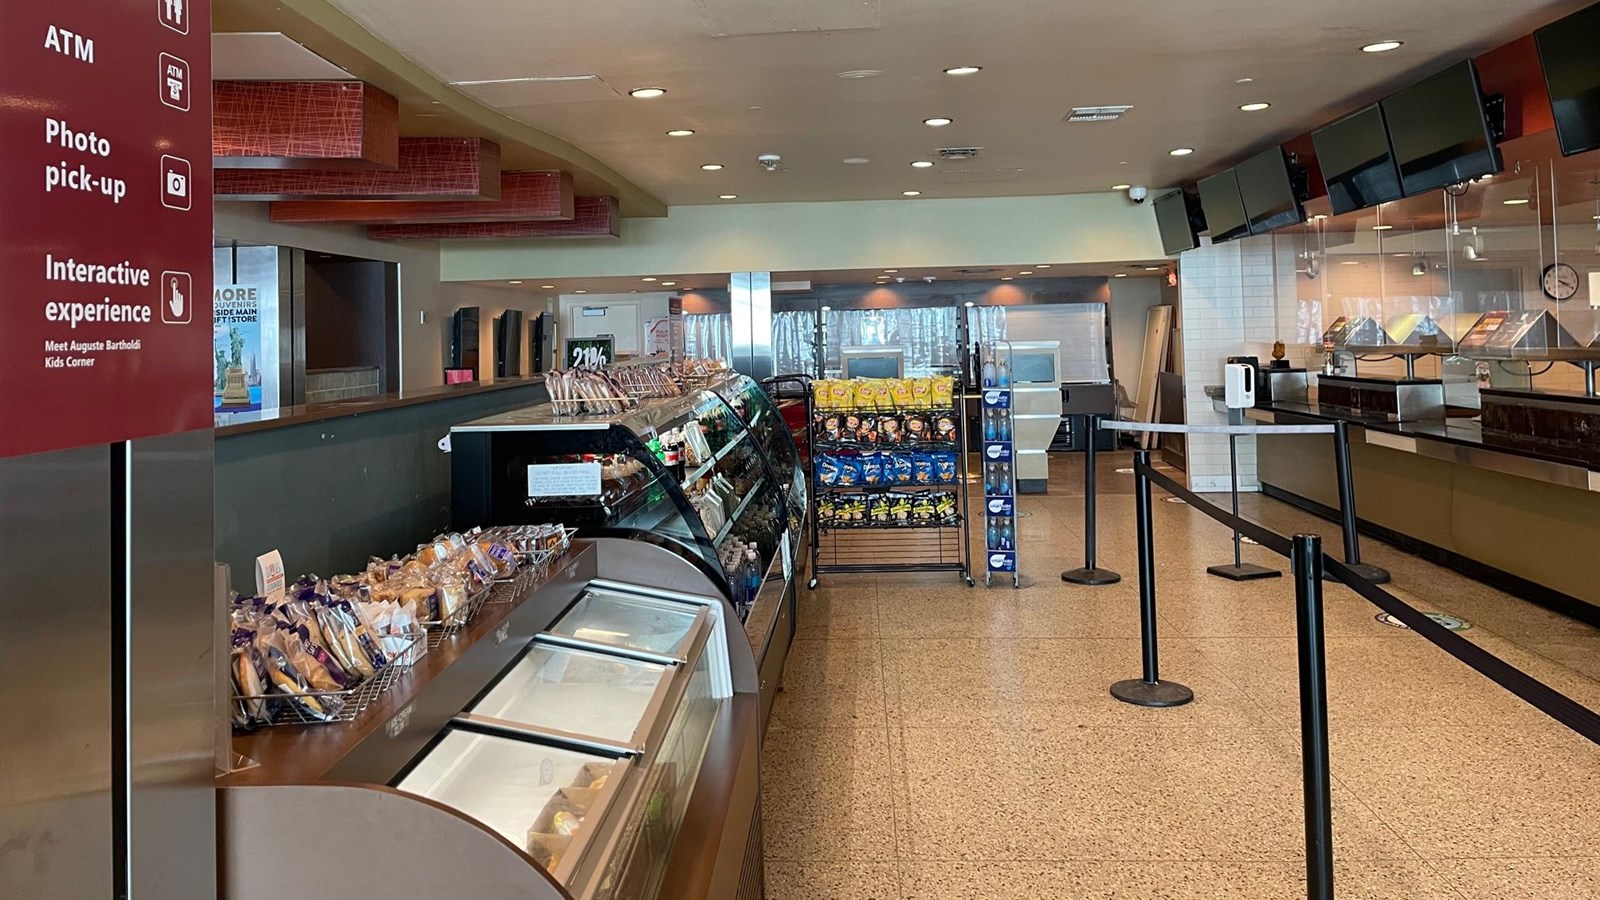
[(1490, 508)]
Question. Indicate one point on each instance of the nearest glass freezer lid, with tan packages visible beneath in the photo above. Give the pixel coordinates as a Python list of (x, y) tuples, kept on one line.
[(543, 800)]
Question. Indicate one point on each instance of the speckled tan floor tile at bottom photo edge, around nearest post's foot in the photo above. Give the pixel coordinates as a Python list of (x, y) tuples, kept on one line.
[(937, 880)]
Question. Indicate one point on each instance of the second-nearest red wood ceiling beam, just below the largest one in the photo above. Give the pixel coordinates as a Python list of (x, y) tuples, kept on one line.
[(431, 169)]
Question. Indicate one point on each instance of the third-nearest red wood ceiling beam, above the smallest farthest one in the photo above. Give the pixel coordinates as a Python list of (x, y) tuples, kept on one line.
[(524, 196)]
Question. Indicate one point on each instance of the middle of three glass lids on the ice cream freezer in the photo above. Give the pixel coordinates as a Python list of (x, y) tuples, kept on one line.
[(578, 693)]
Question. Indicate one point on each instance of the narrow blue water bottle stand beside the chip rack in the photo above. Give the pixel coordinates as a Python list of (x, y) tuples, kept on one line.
[(999, 465)]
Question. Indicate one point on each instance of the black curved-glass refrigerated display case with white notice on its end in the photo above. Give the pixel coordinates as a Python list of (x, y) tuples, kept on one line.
[(694, 470)]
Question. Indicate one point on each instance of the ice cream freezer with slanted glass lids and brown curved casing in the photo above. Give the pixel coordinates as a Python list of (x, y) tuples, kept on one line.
[(598, 741)]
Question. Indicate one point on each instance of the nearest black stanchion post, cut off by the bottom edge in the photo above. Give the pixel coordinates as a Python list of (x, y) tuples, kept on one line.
[(1306, 561)]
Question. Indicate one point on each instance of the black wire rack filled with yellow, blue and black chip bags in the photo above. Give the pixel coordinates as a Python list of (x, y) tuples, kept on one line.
[(905, 460)]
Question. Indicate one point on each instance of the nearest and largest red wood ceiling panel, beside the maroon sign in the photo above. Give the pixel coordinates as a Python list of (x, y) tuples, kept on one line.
[(303, 126)]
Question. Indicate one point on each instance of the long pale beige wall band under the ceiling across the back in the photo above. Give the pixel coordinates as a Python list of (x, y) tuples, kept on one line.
[(801, 238)]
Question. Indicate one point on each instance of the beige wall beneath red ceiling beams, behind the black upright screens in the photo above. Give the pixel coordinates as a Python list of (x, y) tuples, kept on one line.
[(426, 303)]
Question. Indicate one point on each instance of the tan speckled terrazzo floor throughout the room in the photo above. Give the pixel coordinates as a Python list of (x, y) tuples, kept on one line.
[(942, 742)]
